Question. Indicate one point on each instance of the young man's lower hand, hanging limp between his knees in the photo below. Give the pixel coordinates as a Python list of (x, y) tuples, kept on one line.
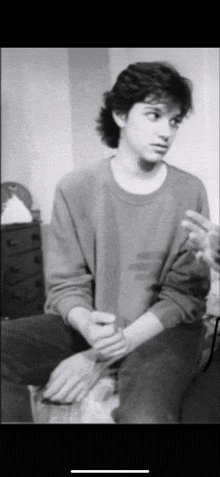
[(72, 378)]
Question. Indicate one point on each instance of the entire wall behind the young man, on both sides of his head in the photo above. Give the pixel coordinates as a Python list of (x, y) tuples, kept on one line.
[(51, 97)]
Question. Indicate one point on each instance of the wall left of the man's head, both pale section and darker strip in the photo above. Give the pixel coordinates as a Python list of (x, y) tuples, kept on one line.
[(50, 98)]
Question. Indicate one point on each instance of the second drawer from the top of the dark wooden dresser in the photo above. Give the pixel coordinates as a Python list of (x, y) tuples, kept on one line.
[(21, 266)]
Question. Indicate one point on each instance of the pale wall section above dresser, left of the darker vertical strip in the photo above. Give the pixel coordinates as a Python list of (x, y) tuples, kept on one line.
[(36, 121)]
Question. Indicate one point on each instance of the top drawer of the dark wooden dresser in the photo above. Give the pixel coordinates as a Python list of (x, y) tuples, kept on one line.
[(21, 239)]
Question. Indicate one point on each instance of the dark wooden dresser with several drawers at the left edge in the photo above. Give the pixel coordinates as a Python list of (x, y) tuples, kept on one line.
[(22, 279)]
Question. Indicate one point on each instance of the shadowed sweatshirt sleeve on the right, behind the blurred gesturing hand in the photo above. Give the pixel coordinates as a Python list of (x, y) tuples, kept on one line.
[(183, 290)]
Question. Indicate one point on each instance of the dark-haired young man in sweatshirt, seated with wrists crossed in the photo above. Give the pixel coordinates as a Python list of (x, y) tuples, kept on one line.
[(123, 283)]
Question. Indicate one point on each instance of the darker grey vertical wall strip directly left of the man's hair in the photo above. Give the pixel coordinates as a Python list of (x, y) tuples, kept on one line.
[(89, 78)]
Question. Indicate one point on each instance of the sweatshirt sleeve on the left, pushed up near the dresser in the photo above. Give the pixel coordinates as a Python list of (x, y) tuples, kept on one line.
[(68, 278)]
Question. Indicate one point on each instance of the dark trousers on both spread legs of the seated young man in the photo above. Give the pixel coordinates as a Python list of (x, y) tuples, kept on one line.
[(152, 378)]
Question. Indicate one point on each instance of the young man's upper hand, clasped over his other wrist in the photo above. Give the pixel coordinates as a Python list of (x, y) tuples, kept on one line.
[(99, 330)]
